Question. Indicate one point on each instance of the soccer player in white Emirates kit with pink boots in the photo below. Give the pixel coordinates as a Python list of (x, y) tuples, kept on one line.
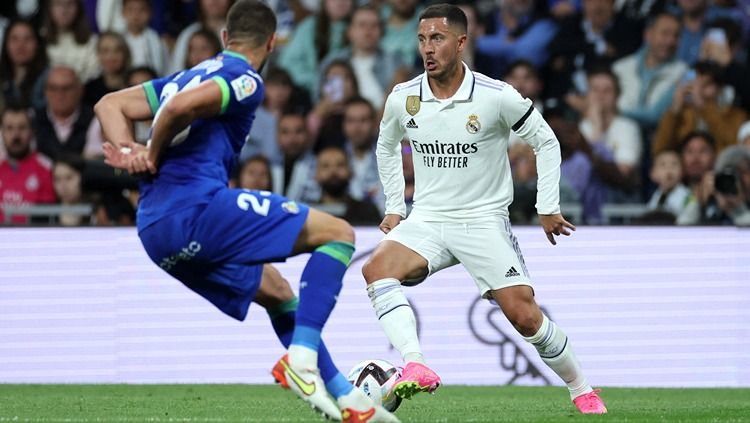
[(458, 123)]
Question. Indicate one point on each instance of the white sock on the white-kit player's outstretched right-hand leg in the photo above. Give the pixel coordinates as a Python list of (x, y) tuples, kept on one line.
[(554, 348)]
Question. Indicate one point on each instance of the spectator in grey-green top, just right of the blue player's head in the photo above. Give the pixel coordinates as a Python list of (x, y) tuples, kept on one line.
[(314, 38)]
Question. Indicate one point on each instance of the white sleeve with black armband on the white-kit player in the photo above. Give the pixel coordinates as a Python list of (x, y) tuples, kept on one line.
[(521, 117)]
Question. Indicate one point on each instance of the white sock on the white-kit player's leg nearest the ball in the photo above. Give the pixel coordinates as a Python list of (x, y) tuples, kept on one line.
[(396, 317)]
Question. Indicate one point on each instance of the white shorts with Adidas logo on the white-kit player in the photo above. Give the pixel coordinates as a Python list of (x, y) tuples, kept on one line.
[(486, 247)]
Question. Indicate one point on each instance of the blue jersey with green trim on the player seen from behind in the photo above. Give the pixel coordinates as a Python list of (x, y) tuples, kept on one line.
[(199, 160)]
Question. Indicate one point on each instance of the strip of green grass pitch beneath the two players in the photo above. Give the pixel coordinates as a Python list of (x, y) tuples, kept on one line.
[(266, 403)]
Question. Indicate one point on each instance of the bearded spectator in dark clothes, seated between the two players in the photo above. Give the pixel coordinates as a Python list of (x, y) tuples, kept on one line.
[(333, 175)]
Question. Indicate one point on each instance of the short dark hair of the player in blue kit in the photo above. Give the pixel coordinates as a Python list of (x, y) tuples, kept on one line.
[(251, 20)]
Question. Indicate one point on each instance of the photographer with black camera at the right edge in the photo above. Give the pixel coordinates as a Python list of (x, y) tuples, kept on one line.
[(727, 190)]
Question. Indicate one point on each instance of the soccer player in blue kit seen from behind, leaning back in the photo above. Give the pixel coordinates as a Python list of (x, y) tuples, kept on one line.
[(217, 240)]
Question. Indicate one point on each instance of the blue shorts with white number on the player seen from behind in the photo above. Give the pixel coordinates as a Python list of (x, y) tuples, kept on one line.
[(218, 249)]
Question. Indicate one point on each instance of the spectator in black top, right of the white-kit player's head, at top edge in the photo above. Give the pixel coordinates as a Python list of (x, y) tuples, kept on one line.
[(587, 41)]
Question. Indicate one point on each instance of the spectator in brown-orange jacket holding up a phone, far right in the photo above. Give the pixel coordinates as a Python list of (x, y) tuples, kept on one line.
[(696, 104)]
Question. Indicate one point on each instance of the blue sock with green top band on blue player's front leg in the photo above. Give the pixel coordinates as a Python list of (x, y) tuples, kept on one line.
[(320, 284)]
